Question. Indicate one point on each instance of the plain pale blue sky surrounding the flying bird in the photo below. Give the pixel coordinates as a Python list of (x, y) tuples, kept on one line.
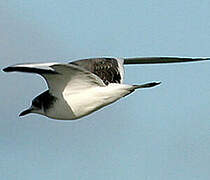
[(154, 134)]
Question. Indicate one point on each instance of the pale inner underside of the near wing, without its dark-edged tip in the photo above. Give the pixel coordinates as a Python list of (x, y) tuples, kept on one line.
[(71, 78)]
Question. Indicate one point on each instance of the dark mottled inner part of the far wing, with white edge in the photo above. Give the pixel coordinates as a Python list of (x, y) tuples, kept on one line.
[(105, 68)]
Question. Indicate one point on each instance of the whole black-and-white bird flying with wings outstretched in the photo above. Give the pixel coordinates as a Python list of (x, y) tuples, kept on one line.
[(81, 87)]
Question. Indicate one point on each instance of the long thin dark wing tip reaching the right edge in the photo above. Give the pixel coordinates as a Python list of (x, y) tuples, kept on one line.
[(157, 60)]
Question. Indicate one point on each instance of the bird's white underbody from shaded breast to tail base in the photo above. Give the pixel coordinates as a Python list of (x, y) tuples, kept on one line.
[(76, 104)]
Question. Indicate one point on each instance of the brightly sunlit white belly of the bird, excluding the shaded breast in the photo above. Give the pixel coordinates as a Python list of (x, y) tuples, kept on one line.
[(86, 101)]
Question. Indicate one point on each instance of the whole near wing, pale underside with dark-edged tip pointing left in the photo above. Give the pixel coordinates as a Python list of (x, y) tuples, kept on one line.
[(59, 76)]
